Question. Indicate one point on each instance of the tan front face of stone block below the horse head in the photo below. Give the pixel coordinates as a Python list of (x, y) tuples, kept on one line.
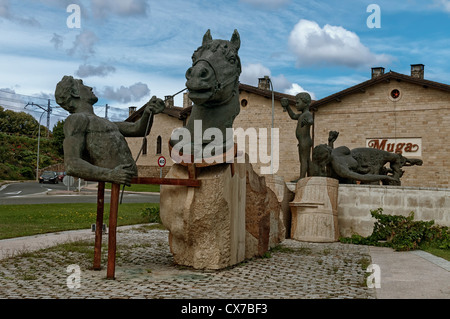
[(206, 224)]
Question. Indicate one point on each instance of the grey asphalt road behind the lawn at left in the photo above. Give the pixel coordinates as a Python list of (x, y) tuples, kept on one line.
[(35, 193)]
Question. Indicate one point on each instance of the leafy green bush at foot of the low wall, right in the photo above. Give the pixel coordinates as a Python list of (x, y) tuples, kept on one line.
[(403, 233)]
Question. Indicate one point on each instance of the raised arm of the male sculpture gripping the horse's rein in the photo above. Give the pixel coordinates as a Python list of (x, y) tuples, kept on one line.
[(138, 129)]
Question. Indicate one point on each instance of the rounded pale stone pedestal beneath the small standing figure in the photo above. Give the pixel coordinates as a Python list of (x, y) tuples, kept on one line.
[(314, 210)]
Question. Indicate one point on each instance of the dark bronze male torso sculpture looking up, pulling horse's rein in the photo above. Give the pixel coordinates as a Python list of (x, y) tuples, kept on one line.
[(95, 148)]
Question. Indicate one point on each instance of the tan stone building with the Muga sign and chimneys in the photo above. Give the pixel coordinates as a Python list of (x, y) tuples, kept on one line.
[(391, 111)]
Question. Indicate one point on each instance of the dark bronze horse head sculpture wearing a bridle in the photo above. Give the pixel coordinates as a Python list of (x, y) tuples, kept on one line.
[(213, 84)]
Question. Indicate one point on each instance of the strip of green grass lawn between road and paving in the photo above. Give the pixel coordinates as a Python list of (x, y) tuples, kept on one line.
[(27, 220)]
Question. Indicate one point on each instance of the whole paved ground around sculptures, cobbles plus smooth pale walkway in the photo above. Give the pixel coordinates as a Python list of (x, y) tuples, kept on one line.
[(145, 269)]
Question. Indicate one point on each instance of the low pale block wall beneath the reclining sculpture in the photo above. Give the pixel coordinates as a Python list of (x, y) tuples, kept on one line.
[(356, 201)]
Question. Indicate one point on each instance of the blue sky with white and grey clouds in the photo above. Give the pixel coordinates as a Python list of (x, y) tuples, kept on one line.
[(130, 50)]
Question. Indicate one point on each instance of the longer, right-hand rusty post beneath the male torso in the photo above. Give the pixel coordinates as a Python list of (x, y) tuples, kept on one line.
[(113, 212)]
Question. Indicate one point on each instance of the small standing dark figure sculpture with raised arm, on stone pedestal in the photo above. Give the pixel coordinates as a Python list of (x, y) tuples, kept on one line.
[(303, 131)]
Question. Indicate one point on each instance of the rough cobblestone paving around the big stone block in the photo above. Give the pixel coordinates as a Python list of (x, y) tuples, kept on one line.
[(145, 269)]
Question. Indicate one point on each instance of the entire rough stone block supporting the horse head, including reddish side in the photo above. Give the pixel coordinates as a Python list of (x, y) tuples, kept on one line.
[(227, 219)]
